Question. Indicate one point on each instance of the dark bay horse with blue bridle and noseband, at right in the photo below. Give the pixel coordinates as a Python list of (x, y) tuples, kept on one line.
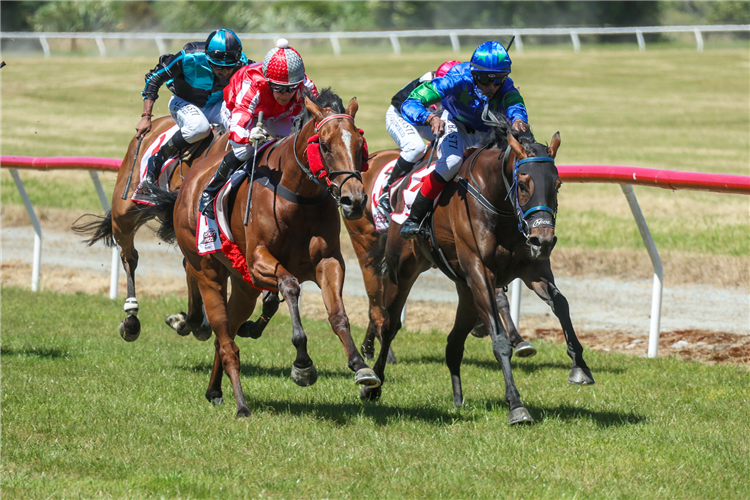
[(490, 229)]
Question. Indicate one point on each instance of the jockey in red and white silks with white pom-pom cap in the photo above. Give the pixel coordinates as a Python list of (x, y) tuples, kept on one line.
[(274, 88)]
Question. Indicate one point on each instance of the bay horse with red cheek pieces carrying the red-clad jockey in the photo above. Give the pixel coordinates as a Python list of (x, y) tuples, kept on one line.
[(291, 236)]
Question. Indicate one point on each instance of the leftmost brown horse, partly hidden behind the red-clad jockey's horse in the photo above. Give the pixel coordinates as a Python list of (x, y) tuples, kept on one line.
[(124, 219)]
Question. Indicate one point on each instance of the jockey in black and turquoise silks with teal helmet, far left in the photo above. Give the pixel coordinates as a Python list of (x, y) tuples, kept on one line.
[(196, 76)]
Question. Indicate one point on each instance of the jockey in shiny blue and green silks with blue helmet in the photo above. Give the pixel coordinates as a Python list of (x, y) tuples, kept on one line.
[(464, 92)]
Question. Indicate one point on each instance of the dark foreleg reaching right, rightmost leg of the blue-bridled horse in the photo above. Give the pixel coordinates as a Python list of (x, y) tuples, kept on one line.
[(580, 374)]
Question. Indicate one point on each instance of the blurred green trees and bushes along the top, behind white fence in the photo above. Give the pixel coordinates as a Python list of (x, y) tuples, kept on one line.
[(357, 15)]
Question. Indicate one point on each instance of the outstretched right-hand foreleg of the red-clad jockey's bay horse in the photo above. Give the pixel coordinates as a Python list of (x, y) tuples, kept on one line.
[(330, 276)]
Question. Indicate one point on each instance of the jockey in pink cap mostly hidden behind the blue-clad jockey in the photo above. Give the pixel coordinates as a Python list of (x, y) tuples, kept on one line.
[(407, 136)]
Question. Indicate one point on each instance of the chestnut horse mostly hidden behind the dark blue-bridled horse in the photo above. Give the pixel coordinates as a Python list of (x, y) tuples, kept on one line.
[(365, 237)]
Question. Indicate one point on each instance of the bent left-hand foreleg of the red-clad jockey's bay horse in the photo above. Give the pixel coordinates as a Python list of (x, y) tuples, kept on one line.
[(267, 272)]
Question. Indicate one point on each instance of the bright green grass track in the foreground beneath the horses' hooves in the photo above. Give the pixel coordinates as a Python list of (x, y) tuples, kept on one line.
[(84, 414)]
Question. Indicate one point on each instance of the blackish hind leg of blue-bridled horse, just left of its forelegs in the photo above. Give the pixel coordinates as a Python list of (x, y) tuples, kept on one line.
[(466, 317)]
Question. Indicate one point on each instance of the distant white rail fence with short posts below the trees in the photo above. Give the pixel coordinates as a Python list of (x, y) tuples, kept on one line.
[(393, 36)]
